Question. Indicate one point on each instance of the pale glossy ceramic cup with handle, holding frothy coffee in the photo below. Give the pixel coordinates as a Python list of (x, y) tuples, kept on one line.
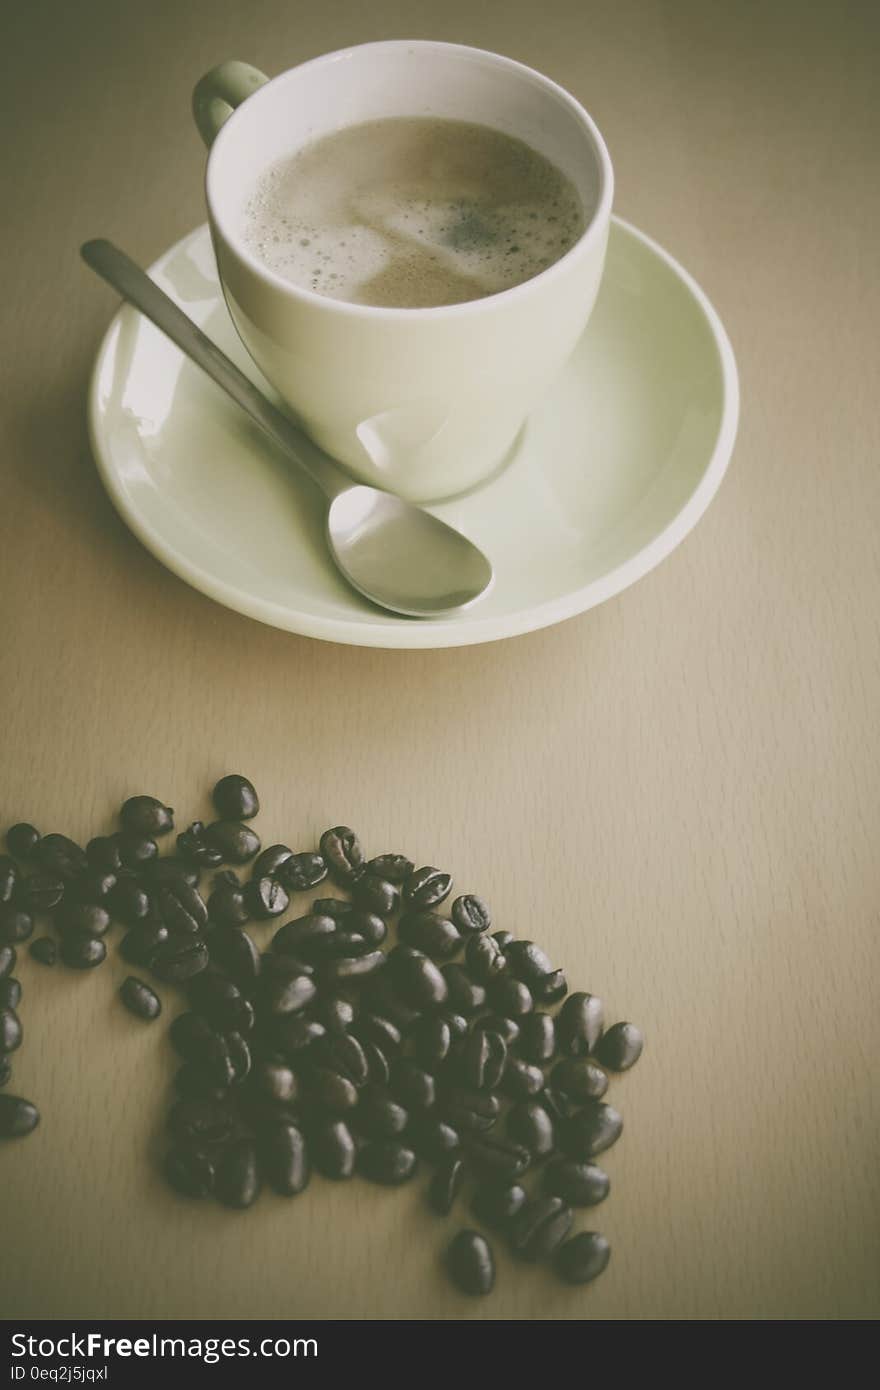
[(425, 402)]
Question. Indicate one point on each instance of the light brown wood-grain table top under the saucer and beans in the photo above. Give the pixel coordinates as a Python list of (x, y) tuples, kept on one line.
[(678, 793)]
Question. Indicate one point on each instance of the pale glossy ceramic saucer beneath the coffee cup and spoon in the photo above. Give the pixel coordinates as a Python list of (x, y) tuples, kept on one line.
[(611, 473)]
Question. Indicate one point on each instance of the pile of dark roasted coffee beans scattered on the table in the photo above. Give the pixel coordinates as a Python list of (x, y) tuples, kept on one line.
[(376, 1035)]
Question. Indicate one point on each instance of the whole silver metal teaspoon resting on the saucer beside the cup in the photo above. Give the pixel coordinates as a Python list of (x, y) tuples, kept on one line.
[(391, 551)]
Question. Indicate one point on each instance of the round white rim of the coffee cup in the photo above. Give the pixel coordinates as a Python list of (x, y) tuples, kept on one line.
[(589, 237)]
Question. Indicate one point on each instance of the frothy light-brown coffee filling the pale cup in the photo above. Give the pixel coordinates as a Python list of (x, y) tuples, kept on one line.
[(414, 212)]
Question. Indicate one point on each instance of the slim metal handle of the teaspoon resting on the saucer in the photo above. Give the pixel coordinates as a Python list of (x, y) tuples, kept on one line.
[(137, 287)]
